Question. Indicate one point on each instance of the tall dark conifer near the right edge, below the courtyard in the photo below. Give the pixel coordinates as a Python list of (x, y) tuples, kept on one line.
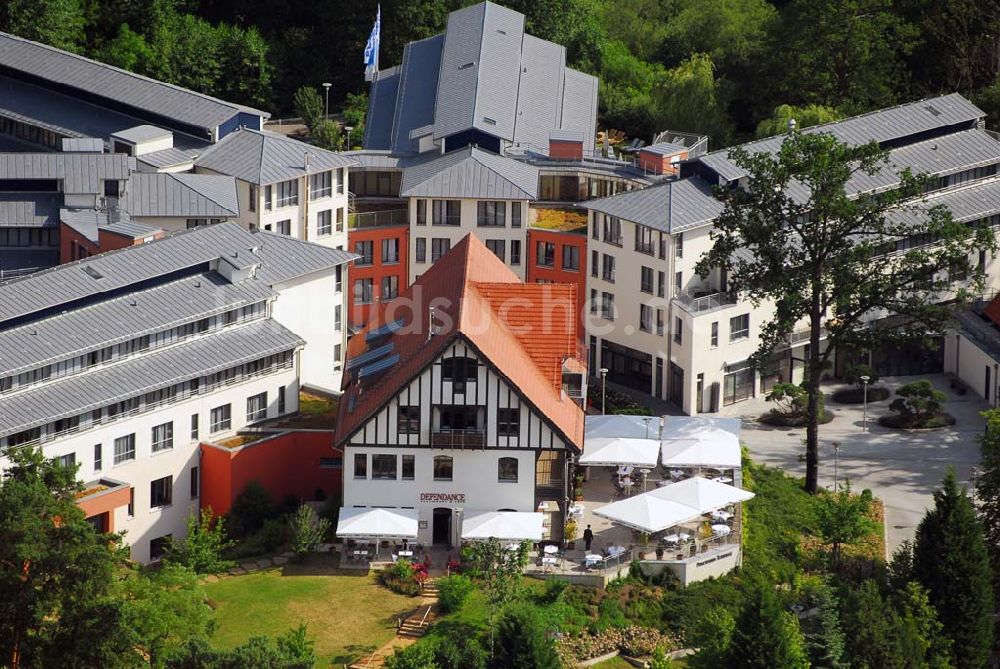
[(950, 560)]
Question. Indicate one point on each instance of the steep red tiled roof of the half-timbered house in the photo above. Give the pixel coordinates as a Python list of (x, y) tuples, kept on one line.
[(525, 331)]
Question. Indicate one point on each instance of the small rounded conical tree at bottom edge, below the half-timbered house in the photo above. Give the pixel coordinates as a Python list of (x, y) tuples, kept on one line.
[(523, 640)]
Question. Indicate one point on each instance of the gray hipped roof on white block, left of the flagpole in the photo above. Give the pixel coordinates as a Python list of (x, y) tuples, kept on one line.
[(261, 157)]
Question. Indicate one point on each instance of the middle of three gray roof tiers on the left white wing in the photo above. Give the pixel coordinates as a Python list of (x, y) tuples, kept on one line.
[(119, 319)]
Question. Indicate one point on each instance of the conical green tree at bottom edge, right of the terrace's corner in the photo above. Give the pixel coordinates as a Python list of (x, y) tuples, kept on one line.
[(766, 636)]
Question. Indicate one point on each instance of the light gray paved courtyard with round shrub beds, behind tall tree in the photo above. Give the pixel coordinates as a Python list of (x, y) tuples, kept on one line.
[(902, 468)]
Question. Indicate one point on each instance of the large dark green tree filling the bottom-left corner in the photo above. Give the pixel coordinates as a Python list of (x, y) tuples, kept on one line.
[(57, 575)]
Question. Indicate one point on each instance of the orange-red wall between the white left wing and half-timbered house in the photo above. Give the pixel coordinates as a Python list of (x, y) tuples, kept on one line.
[(286, 464)]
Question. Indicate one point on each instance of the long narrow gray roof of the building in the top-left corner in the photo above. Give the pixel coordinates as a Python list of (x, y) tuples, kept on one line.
[(71, 71)]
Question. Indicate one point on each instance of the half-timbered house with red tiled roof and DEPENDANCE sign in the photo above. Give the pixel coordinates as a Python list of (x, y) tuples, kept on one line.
[(463, 395)]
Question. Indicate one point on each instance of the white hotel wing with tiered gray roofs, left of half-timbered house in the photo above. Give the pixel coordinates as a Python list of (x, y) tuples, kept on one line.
[(122, 363)]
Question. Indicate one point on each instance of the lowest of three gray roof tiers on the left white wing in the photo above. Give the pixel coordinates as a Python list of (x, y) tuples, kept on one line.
[(77, 394)]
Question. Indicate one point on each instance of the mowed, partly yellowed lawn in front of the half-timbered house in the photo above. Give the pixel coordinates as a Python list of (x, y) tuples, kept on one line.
[(347, 613)]
